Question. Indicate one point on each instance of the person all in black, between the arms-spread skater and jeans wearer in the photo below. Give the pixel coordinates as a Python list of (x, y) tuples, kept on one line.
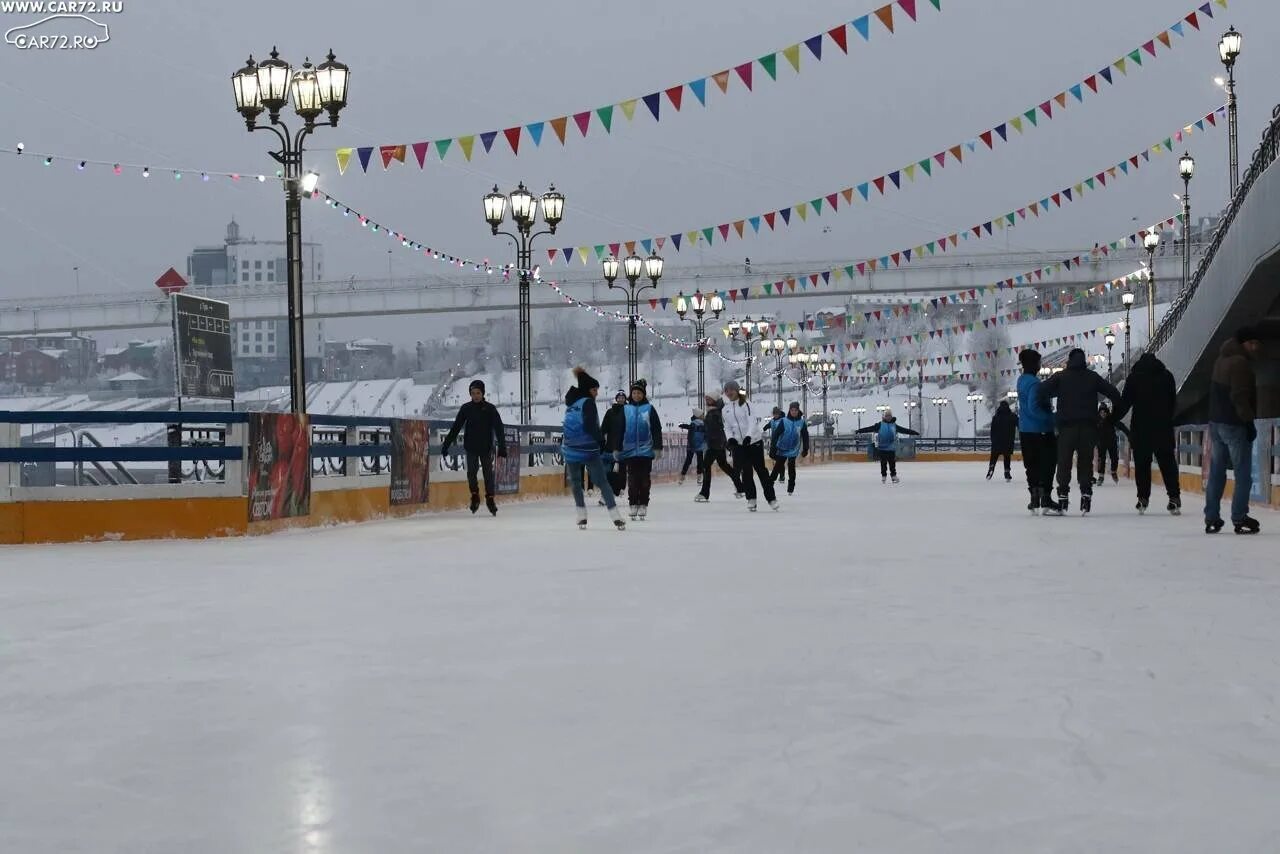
[(1151, 394)]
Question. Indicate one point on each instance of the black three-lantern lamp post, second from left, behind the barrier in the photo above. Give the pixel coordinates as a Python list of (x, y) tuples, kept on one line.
[(524, 216)]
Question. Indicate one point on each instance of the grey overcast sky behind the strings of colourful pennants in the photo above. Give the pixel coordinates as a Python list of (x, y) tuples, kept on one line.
[(159, 93)]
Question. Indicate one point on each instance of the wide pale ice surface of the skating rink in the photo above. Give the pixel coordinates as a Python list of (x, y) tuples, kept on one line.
[(922, 668)]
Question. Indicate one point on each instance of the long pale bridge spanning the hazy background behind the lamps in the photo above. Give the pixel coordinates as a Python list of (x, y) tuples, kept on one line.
[(469, 293)]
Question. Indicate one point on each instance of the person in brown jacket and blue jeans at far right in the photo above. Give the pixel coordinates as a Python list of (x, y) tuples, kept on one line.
[(1233, 404)]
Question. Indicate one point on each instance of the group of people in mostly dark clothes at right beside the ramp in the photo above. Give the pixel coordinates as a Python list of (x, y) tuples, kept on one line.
[(1081, 431)]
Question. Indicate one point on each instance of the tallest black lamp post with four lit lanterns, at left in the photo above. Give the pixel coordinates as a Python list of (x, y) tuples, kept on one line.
[(316, 90)]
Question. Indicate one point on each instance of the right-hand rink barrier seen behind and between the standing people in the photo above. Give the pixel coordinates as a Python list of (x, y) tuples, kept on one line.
[(1195, 451)]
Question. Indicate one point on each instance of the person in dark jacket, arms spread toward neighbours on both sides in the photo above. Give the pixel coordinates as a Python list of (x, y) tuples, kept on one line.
[(1077, 391)]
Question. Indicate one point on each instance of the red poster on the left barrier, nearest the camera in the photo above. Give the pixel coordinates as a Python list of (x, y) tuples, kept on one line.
[(280, 467)]
